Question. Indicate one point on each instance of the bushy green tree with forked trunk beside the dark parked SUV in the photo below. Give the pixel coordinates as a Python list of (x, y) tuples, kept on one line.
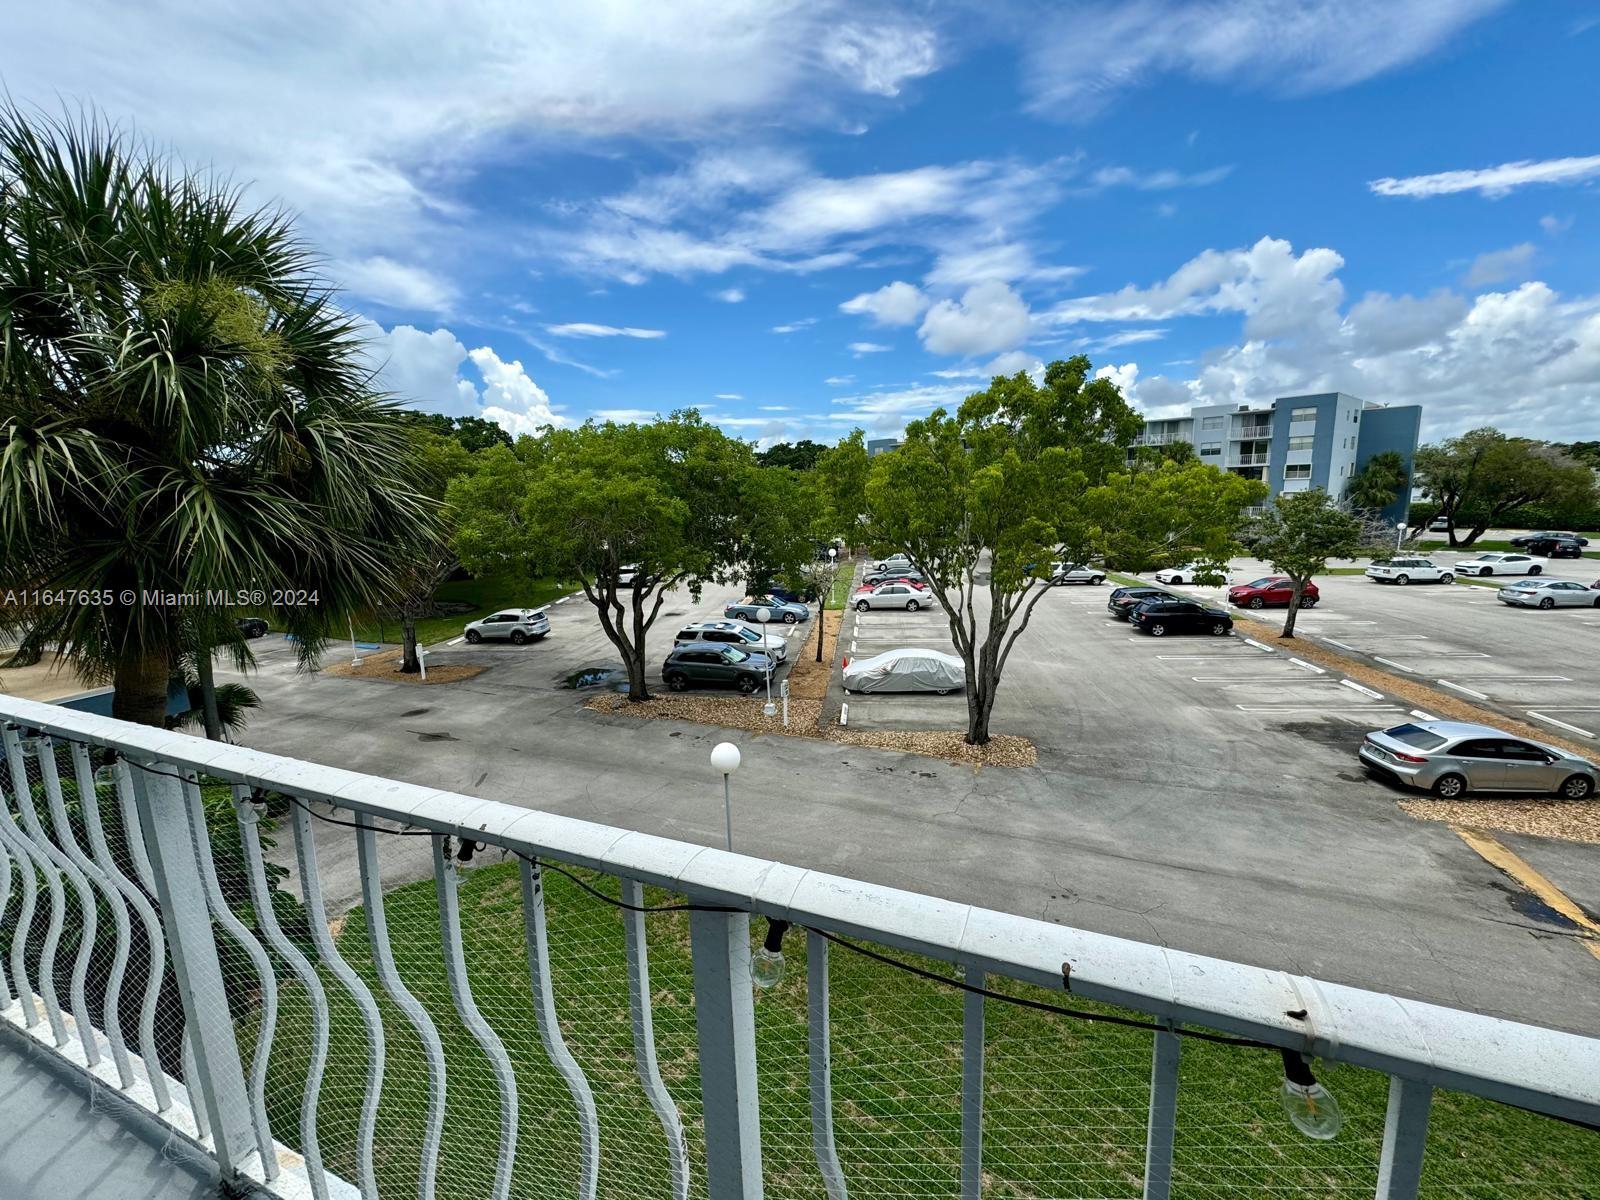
[(585, 503)]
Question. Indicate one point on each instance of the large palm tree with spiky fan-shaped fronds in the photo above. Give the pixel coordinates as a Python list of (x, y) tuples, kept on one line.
[(186, 423)]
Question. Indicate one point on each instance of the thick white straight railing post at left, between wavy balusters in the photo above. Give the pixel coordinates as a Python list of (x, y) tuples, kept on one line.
[(170, 841)]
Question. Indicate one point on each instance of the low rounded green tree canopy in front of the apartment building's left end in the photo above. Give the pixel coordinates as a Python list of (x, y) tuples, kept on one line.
[(1170, 514)]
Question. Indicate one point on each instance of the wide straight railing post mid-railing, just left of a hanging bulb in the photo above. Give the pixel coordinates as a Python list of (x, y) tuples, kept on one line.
[(726, 1026)]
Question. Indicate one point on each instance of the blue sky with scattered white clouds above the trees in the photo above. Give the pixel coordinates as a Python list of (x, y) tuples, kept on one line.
[(812, 217)]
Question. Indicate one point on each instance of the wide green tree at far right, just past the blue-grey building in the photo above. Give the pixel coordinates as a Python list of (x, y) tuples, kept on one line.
[(1482, 479)]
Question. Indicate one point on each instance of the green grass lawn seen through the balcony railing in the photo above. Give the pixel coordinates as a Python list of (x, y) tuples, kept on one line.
[(1065, 1102)]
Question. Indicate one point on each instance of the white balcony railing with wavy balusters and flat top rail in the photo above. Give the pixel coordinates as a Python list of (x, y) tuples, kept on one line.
[(457, 1055)]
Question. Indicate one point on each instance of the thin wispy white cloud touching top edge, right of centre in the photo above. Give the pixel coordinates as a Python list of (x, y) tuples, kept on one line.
[(1082, 57)]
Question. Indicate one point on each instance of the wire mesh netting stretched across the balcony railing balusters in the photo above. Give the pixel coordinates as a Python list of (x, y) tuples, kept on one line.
[(1065, 1102)]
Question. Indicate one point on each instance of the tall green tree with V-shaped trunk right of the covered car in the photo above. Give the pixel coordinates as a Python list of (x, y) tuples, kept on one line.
[(982, 502)]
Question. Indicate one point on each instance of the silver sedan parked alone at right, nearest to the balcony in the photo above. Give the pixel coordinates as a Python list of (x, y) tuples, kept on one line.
[(1455, 758)]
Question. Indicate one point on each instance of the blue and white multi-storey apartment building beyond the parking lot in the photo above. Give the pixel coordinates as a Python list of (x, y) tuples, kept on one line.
[(1298, 441)]
